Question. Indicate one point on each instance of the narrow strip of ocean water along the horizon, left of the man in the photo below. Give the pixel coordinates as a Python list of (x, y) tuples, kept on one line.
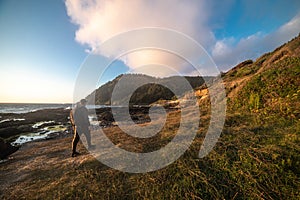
[(28, 107)]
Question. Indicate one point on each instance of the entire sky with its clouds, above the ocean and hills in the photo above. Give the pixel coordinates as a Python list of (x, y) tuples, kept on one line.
[(43, 44)]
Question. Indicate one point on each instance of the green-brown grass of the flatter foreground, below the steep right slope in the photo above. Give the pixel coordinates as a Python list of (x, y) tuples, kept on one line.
[(256, 158)]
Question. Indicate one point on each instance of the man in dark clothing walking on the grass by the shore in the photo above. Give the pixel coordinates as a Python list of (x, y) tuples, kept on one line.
[(79, 117)]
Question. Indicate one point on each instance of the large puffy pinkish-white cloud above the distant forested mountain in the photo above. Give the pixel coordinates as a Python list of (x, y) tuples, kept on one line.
[(99, 20)]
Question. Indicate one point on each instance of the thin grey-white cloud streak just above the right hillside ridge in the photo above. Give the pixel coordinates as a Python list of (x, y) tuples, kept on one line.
[(226, 54)]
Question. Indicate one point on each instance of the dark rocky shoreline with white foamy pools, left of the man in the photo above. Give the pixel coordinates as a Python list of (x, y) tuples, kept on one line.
[(16, 129)]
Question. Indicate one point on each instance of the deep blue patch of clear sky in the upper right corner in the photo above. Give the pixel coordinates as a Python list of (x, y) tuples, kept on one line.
[(245, 18)]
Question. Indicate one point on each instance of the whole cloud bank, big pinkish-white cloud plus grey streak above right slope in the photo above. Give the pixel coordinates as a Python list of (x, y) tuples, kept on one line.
[(99, 20)]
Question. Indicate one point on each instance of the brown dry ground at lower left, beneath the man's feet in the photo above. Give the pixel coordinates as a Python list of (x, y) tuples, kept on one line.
[(38, 157)]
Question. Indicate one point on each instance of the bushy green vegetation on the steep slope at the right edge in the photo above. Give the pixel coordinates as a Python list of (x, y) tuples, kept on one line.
[(276, 90)]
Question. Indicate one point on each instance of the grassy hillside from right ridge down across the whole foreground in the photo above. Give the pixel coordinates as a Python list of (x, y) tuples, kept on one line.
[(256, 157)]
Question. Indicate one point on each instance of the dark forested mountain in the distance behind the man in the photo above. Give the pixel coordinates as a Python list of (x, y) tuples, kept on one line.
[(147, 93)]
